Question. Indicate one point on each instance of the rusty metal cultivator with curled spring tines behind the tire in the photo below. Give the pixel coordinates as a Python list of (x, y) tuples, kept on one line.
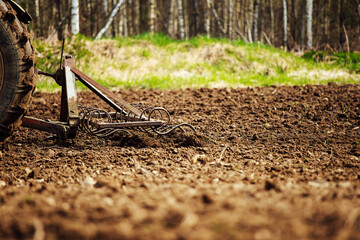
[(101, 123)]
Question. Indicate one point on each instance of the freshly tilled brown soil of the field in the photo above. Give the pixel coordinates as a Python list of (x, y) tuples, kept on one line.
[(265, 163)]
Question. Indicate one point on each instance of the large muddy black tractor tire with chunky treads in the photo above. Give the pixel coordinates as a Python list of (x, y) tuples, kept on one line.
[(17, 70)]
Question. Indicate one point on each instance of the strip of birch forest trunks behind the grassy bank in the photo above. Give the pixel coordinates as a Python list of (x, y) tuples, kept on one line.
[(330, 25)]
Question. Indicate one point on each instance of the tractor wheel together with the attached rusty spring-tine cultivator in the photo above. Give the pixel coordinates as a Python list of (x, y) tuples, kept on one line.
[(18, 74)]
